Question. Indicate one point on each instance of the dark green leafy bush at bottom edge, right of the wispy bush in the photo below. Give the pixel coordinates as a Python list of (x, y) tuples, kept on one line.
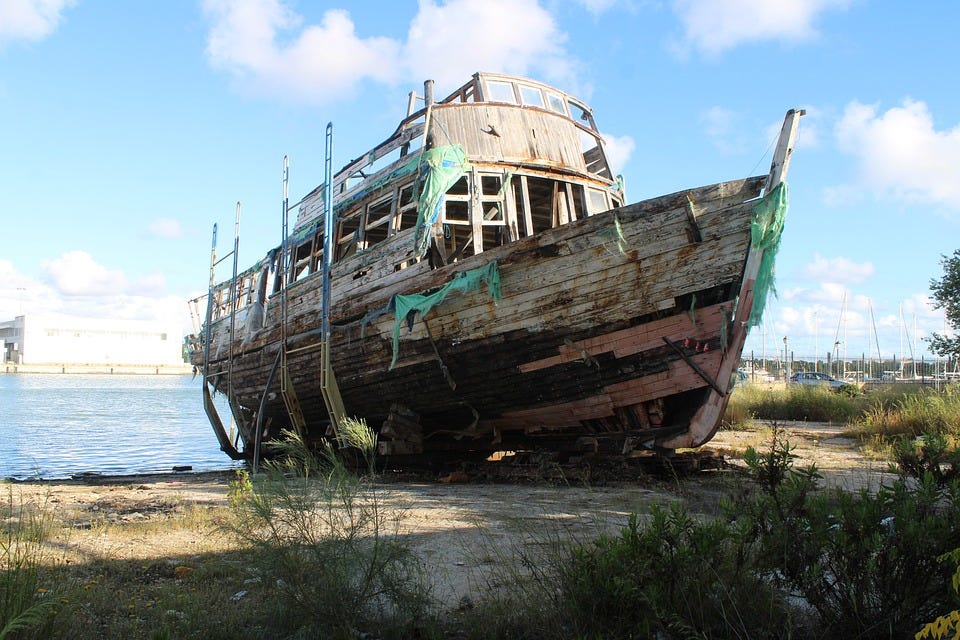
[(674, 575)]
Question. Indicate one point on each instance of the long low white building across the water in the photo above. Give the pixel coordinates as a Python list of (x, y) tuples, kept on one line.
[(50, 339)]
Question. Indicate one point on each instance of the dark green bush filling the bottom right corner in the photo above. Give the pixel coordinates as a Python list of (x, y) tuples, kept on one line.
[(867, 564)]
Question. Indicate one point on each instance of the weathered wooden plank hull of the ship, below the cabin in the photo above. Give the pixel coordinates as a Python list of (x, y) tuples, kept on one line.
[(575, 353)]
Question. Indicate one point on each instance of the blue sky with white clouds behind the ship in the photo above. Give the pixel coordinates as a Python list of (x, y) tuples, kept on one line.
[(128, 128)]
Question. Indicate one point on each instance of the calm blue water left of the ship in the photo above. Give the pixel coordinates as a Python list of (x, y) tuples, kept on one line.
[(56, 426)]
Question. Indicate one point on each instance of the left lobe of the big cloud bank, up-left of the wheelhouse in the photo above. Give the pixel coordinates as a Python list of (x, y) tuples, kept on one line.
[(317, 64)]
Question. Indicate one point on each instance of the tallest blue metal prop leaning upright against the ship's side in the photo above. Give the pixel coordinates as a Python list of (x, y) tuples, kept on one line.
[(328, 383)]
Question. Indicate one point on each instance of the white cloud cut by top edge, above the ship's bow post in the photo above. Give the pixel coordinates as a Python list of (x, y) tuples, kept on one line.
[(714, 26)]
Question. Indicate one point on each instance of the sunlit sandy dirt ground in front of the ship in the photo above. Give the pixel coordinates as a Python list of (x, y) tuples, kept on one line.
[(459, 529)]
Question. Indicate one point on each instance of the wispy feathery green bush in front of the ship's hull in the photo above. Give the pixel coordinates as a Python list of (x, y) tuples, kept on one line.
[(328, 549)]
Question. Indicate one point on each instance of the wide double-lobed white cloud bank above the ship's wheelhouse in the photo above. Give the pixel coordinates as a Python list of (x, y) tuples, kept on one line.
[(267, 47)]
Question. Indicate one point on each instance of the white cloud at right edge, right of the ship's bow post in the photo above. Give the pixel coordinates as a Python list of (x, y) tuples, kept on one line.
[(901, 153)]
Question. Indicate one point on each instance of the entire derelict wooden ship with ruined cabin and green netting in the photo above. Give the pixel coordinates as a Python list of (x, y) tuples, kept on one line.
[(490, 290)]
